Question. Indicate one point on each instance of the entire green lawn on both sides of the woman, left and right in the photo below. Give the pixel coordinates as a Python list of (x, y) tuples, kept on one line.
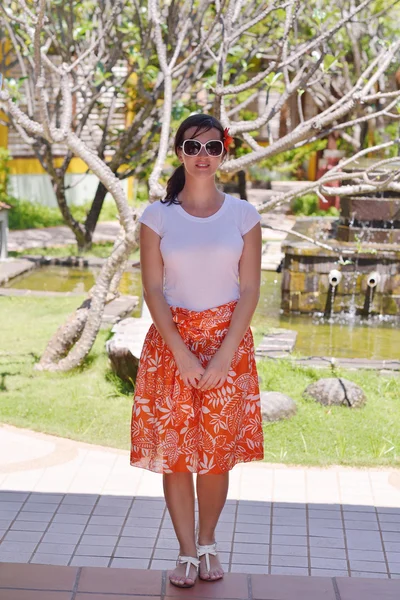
[(91, 404)]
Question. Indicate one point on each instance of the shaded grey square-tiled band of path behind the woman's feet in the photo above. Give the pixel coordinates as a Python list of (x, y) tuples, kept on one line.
[(253, 537)]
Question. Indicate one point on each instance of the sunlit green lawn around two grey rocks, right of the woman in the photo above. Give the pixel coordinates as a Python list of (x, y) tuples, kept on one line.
[(319, 435)]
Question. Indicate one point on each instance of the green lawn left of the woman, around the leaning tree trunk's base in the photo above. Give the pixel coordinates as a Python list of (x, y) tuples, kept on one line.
[(88, 403)]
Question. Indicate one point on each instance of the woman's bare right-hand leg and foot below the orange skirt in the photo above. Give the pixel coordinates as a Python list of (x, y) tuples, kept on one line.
[(212, 491)]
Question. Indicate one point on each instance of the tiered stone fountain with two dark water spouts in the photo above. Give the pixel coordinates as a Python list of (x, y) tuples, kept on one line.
[(362, 274)]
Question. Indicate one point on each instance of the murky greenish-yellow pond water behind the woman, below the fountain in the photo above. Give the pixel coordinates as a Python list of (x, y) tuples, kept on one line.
[(376, 338)]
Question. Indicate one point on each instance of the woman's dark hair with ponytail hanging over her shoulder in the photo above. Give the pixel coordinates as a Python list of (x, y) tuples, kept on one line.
[(176, 182)]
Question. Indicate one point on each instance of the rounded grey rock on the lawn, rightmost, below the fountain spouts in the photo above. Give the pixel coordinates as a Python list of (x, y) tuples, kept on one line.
[(336, 391)]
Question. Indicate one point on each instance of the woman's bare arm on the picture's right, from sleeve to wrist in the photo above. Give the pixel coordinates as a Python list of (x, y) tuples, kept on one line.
[(250, 281)]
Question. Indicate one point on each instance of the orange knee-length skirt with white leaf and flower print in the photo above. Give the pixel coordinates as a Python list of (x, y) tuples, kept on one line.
[(176, 428)]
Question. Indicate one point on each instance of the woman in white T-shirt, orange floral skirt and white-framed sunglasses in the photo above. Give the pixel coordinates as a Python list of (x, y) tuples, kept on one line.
[(197, 401)]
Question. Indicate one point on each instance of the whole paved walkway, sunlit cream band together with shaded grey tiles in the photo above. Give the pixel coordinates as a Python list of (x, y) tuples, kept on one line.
[(74, 504)]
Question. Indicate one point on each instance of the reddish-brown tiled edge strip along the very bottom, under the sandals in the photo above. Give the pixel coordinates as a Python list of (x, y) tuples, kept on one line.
[(40, 582)]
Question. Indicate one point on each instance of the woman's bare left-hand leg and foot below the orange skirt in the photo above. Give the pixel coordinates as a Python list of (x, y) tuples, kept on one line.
[(179, 497)]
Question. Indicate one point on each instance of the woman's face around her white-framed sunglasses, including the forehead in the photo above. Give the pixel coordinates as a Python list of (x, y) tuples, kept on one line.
[(202, 165)]
